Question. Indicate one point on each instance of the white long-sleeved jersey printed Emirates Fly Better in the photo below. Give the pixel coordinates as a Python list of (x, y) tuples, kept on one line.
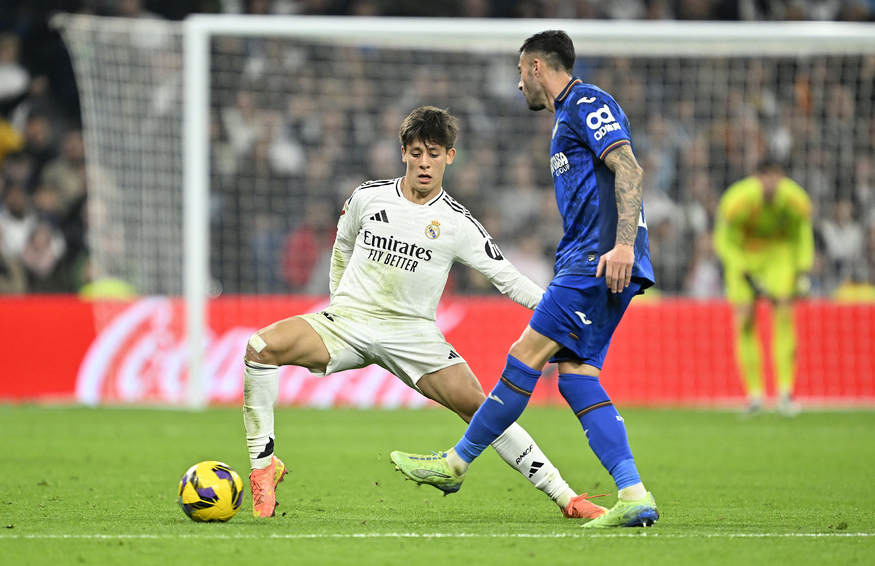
[(392, 257)]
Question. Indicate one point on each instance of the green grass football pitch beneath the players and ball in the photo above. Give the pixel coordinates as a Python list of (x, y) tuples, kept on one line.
[(98, 486)]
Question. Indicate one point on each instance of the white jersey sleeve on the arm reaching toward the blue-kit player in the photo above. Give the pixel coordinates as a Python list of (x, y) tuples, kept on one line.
[(477, 250)]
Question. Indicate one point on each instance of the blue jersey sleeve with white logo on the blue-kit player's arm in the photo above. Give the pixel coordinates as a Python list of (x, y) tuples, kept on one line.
[(600, 122)]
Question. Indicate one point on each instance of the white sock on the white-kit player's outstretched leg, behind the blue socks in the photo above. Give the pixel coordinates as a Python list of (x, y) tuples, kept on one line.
[(518, 449)]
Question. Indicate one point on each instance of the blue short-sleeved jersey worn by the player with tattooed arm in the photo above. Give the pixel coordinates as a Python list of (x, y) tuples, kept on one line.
[(589, 124)]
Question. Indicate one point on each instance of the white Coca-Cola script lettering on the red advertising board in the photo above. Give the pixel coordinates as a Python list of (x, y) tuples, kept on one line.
[(141, 356)]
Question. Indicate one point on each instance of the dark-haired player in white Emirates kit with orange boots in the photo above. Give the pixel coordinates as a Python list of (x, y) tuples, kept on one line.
[(396, 241)]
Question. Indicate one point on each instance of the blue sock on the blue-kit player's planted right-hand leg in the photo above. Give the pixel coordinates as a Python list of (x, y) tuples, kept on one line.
[(602, 424)]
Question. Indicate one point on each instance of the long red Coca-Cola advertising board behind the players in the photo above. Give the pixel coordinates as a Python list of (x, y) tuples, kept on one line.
[(667, 352)]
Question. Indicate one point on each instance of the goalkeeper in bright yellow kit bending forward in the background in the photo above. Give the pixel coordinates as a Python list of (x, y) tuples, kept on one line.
[(765, 240)]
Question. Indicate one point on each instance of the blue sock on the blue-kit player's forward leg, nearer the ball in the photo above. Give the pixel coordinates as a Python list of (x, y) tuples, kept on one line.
[(501, 409)]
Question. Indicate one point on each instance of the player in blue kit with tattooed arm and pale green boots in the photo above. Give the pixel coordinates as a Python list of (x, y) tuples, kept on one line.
[(602, 261)]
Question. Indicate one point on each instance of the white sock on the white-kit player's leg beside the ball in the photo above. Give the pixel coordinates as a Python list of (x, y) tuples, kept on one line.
[(260, 392)]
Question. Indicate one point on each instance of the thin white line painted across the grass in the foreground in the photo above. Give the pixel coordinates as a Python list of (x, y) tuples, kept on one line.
[(439, 535)]
